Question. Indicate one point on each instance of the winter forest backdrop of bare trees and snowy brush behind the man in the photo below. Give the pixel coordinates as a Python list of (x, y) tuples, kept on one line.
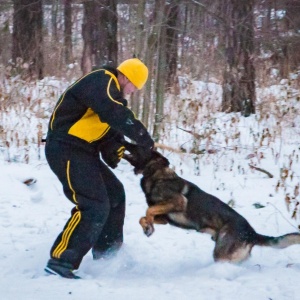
[(213, 64)]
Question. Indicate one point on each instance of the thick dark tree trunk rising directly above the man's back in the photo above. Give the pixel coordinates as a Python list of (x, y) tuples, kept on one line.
[(99, 32)]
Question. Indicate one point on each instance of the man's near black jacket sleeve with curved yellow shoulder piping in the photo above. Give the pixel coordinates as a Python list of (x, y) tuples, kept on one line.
[(111, 110)]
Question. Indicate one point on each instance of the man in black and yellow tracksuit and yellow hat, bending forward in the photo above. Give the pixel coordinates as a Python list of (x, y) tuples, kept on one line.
[(92, 116)]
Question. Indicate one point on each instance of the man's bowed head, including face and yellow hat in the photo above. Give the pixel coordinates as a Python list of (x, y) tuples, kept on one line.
[(136, 74)]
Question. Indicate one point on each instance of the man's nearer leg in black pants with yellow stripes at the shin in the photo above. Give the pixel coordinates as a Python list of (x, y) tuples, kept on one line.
[(79, 173)]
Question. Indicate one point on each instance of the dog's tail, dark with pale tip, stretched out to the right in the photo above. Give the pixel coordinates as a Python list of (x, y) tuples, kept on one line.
[(279, 242)]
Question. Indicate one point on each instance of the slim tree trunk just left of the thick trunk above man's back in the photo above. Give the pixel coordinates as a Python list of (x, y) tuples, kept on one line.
[(68, 31)]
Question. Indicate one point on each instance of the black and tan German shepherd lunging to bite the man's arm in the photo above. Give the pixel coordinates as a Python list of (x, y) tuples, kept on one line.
[(174, 200)]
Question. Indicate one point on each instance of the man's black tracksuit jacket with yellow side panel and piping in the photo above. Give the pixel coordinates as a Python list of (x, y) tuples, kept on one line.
[(91, 108)]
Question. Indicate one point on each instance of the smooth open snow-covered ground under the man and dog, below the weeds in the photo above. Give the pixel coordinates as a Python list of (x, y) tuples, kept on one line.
[(172, 264)]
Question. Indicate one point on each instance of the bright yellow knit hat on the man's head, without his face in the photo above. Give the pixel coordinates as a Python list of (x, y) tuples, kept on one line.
[(135, 71)]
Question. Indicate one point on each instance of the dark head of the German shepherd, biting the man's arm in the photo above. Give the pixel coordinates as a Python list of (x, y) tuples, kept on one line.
[(142, 159)]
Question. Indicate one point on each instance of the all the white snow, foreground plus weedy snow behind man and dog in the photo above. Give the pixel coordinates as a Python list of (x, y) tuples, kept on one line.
[(173, 263)]
